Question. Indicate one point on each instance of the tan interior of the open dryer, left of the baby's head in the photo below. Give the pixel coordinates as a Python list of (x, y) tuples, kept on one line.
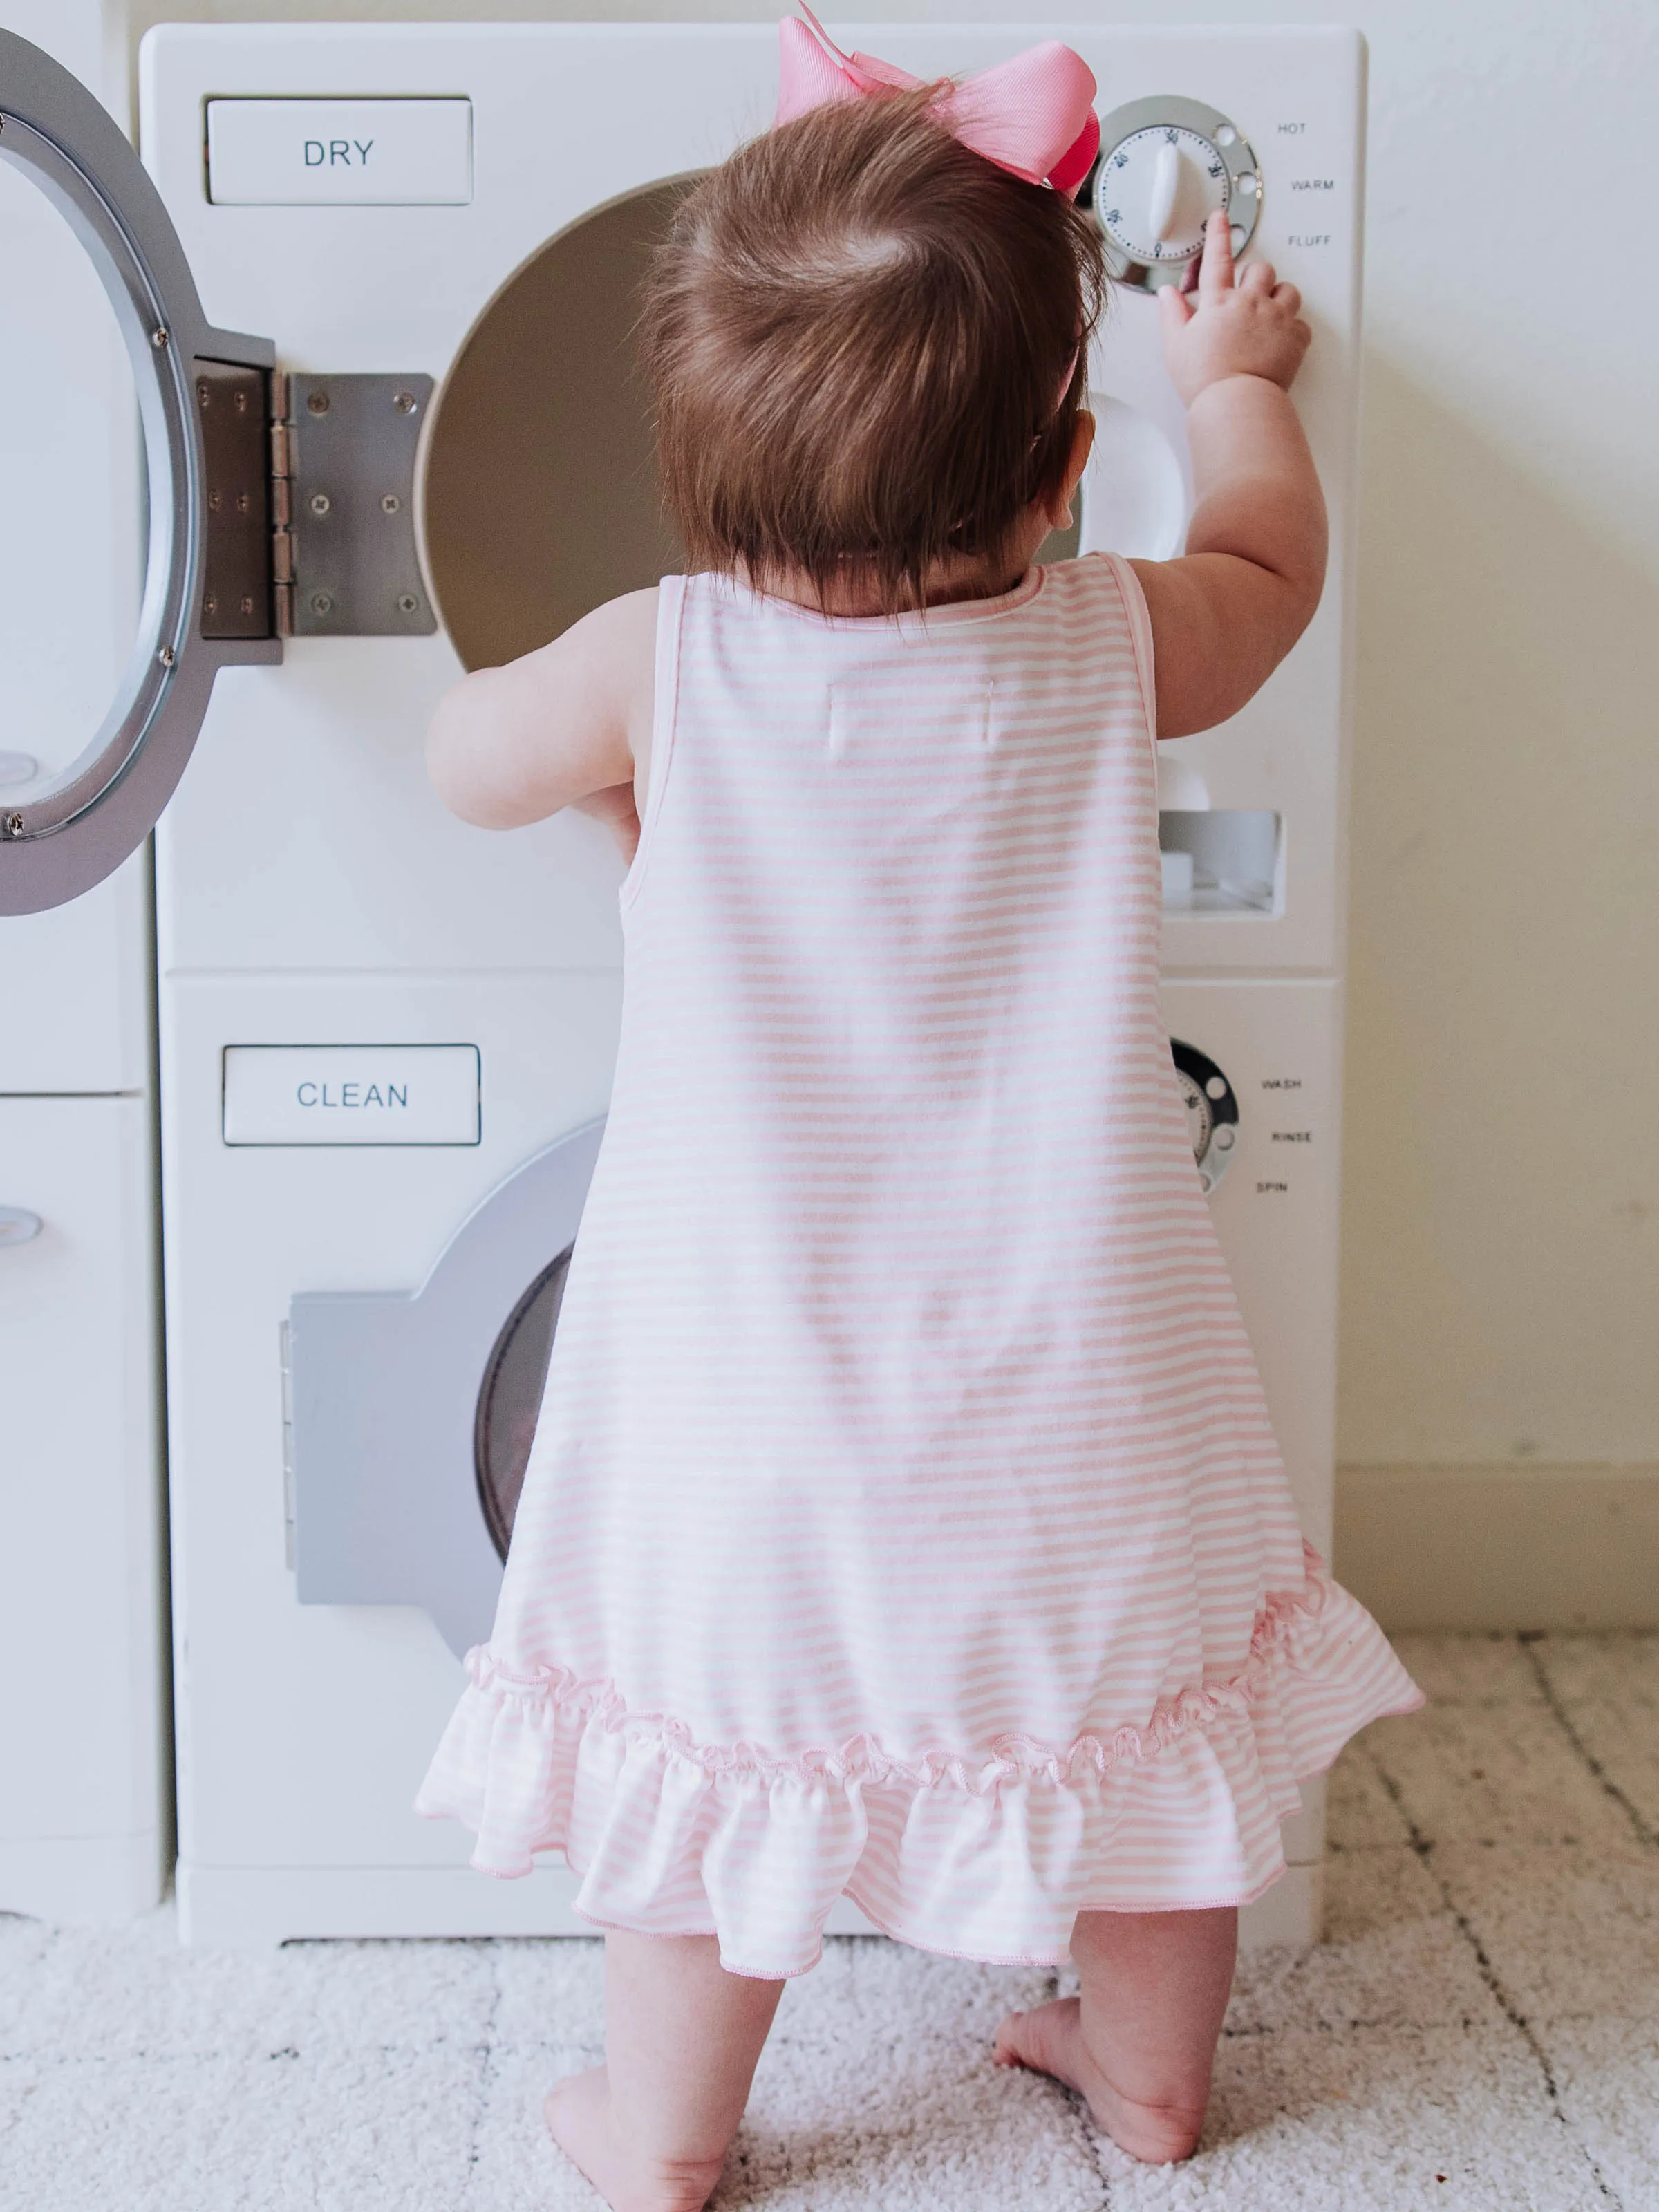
[(539, 492)]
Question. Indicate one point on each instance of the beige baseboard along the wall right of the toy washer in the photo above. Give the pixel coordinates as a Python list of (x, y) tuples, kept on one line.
[(1501, 1547)]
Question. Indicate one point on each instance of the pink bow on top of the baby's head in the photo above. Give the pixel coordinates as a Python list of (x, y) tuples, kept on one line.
[(1032, 116)]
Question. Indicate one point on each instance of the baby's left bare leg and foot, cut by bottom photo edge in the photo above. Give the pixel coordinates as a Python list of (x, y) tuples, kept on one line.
[(682, 2041)]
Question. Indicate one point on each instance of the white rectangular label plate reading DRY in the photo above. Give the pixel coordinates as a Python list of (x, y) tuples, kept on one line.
[(340, 154)]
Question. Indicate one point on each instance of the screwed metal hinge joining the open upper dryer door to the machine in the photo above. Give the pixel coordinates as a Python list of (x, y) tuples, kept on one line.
[(311, 503)]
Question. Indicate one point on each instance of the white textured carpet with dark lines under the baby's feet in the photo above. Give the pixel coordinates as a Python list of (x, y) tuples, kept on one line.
[(1481, 2034)]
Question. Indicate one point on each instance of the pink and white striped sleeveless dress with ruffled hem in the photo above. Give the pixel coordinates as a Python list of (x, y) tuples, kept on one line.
[(904, 1519)]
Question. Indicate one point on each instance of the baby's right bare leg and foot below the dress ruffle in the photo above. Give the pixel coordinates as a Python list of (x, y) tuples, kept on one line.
[(1140, 2041)]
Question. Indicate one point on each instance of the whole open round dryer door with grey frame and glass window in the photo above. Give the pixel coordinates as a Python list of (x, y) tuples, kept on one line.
[(109, 660)]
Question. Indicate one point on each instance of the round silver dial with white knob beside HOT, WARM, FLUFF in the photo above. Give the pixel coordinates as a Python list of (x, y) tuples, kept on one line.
[(1167, 165)]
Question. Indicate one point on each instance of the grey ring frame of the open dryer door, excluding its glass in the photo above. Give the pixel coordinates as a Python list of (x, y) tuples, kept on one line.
[(205, 413)]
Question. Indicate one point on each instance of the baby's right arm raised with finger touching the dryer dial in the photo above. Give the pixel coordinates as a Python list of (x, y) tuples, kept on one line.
[(1233, 607)]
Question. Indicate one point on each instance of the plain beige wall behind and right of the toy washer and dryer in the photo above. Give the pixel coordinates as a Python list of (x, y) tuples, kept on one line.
[(1501, 1295)]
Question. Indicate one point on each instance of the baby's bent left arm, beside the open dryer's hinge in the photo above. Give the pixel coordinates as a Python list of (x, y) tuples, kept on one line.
[(554, 729)]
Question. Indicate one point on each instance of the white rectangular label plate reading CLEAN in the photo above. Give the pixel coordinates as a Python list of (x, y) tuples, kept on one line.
[(353, 1094)]
